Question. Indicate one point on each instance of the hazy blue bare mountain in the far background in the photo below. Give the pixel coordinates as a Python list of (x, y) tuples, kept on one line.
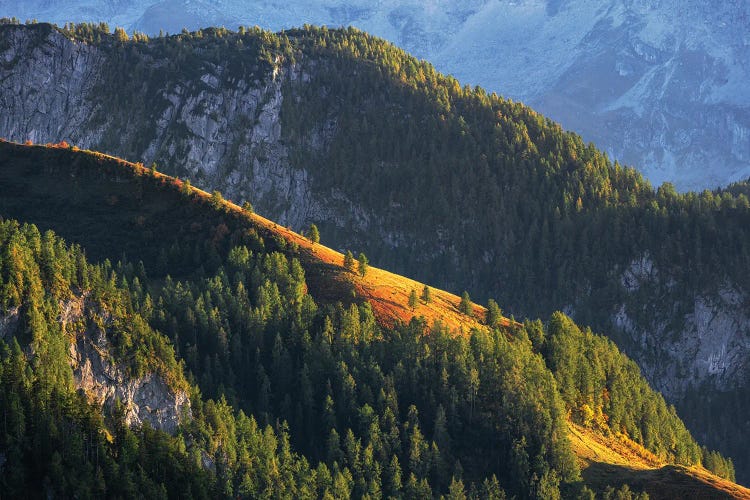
[(659, 85)]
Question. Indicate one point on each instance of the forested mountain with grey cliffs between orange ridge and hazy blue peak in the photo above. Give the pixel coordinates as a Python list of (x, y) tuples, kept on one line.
[(470, 192)]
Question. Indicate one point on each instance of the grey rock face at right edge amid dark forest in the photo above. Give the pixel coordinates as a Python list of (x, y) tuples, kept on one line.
[(711, 347)]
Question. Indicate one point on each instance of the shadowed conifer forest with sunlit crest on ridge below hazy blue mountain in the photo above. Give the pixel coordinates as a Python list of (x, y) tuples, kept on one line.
[(553, 222)]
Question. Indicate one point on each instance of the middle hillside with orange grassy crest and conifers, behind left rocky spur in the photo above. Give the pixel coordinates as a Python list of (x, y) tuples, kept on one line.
[(113, 208)]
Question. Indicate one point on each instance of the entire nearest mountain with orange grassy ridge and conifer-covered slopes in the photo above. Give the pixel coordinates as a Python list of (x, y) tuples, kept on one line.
[(254, 317)]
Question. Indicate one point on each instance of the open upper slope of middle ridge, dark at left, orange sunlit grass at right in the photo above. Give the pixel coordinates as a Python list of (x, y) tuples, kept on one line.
[(114, 208)]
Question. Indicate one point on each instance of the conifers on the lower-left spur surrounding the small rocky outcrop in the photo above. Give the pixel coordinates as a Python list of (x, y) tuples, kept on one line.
[(56, 443)]
